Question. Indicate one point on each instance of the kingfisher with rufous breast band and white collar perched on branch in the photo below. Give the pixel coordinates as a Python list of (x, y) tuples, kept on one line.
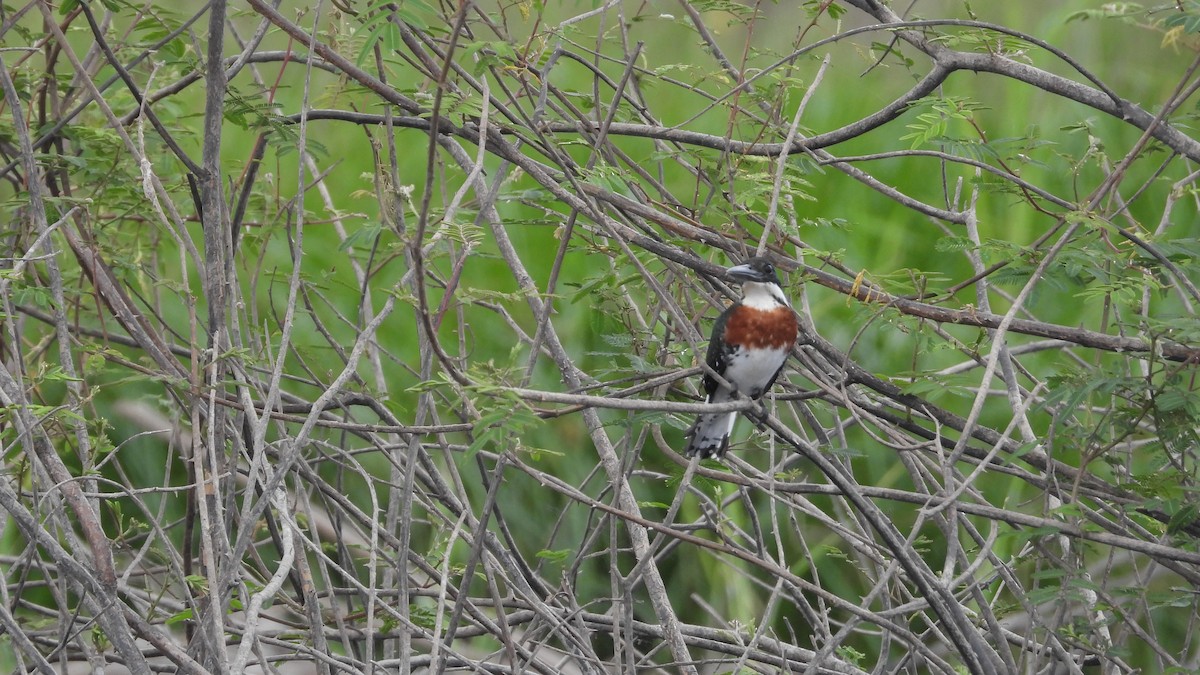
[(751, 343)]
